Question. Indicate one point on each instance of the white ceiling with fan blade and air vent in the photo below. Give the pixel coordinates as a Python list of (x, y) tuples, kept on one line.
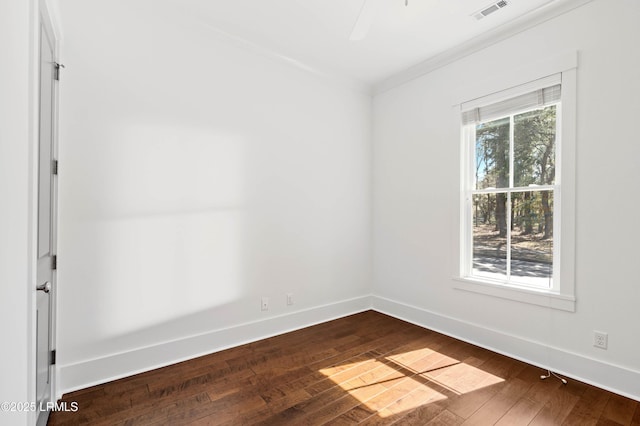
[(316, 32)]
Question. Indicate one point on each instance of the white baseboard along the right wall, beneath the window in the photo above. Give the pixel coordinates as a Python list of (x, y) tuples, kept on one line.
[(617, 379)]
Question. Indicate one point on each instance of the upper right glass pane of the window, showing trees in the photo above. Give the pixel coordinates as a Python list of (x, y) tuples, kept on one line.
[(534, 135)]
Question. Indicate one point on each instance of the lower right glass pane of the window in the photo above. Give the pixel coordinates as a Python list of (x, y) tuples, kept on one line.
[(532, 238)]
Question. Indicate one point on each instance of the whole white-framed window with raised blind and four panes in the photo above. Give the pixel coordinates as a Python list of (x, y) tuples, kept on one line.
[(511, 205)]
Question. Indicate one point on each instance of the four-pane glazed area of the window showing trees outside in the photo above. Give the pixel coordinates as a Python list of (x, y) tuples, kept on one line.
[(512, 197)]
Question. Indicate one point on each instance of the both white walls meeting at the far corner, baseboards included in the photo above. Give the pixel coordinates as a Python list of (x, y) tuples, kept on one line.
[(199, 173)]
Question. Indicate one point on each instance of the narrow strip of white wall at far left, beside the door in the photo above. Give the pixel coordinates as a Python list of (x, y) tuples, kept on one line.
[(17, 363)]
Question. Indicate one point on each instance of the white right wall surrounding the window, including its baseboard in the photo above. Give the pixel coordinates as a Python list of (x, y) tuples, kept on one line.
[(415, 173)]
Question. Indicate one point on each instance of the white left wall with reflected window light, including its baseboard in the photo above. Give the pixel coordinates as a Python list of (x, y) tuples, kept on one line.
[(197, 175)]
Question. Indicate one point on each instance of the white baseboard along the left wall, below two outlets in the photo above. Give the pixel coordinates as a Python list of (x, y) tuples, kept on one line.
[(96, 371)]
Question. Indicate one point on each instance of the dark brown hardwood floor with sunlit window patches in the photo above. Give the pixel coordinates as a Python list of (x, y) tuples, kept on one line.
[(363, 369)]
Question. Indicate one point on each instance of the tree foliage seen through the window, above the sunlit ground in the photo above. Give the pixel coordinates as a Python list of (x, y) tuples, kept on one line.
[(534, 140)]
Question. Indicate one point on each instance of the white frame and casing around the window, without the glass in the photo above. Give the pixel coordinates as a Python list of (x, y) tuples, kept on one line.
[(562, 294)]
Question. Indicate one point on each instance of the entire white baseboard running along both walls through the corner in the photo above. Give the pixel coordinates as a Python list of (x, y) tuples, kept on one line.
[(84, 374)]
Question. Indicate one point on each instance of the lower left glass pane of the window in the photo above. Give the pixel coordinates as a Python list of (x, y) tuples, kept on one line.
[(489, 246)]
